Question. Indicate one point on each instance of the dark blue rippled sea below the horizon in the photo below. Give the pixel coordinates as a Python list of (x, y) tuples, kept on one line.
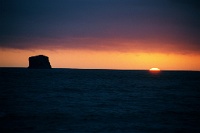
[(95, 101)]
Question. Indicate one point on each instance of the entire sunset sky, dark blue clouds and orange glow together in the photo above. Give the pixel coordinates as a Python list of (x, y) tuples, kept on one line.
[(107, 34)]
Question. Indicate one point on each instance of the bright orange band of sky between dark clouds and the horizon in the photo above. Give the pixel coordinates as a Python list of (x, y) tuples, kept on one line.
[(88, 59)]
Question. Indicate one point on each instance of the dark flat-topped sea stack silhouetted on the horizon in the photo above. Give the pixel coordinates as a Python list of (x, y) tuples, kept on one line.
[(39, 62)]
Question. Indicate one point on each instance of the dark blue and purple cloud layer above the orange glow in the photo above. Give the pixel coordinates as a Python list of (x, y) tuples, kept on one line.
[(29, 24)]
